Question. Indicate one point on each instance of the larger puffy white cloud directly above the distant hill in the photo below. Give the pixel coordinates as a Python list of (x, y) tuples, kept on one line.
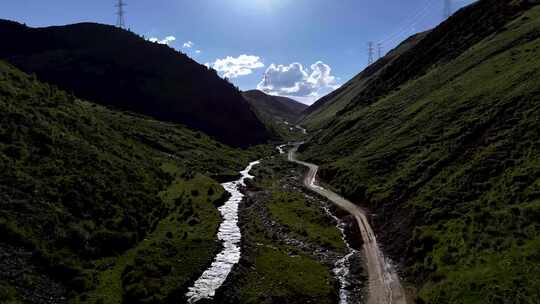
[(298, 81)]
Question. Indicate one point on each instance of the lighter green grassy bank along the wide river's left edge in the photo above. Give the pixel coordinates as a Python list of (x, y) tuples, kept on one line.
[(177, 251)]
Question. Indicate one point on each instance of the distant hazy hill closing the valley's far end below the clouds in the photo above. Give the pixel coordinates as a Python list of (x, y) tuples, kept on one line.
[(279, 114)]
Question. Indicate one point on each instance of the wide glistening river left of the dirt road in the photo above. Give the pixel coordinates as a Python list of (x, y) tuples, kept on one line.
[(229, 233)]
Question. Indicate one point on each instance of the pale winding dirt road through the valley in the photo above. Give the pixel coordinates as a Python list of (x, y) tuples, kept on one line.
[(384, 284)]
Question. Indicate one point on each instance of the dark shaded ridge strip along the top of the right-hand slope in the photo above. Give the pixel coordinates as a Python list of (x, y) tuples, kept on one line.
[(415, 56)]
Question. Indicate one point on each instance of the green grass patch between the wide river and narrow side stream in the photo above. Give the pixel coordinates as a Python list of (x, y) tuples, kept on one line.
[(282, 273)]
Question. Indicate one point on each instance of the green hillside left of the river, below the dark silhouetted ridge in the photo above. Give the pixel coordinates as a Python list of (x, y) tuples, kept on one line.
[(99, 206)]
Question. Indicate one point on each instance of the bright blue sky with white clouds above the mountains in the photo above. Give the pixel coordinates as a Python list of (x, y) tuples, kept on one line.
[(301, 48)]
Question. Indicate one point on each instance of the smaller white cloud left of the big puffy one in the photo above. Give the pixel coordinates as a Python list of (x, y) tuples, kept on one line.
[(242, 65)]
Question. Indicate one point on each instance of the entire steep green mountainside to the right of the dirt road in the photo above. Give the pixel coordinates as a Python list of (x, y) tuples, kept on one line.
[(445, 149)]
